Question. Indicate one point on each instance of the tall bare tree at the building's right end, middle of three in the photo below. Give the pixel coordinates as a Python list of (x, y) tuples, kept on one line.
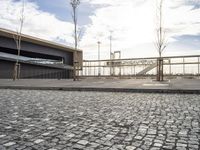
[(74, 4)]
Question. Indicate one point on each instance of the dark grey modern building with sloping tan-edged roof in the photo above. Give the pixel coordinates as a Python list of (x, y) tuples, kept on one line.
[(38, 58)]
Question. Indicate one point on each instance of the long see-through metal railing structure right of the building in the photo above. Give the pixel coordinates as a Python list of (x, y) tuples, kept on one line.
[(142, 67)]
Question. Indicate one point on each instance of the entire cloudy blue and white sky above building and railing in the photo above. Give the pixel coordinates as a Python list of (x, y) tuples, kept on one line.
[(132, 24)]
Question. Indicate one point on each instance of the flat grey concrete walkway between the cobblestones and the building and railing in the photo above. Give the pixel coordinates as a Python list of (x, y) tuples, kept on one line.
[(109, 85)]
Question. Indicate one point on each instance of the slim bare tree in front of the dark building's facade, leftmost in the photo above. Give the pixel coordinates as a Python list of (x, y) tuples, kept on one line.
[(17, 37)]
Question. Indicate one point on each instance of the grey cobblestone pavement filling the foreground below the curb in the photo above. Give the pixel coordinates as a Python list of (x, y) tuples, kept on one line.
[(57, 120)]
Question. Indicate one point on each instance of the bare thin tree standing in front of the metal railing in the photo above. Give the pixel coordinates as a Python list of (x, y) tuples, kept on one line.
[(161, 42)]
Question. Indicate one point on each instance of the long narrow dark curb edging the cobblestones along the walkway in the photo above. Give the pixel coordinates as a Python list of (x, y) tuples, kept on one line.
[(95, 89)]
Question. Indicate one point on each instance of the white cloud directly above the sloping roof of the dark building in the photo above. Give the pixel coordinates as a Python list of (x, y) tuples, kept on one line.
[(37, 22)]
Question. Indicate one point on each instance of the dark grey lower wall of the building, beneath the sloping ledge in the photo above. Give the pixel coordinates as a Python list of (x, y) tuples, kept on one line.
[(32, 71)]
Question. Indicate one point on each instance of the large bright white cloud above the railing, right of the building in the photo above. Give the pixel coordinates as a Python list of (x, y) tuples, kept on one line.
[(133, 25)]
